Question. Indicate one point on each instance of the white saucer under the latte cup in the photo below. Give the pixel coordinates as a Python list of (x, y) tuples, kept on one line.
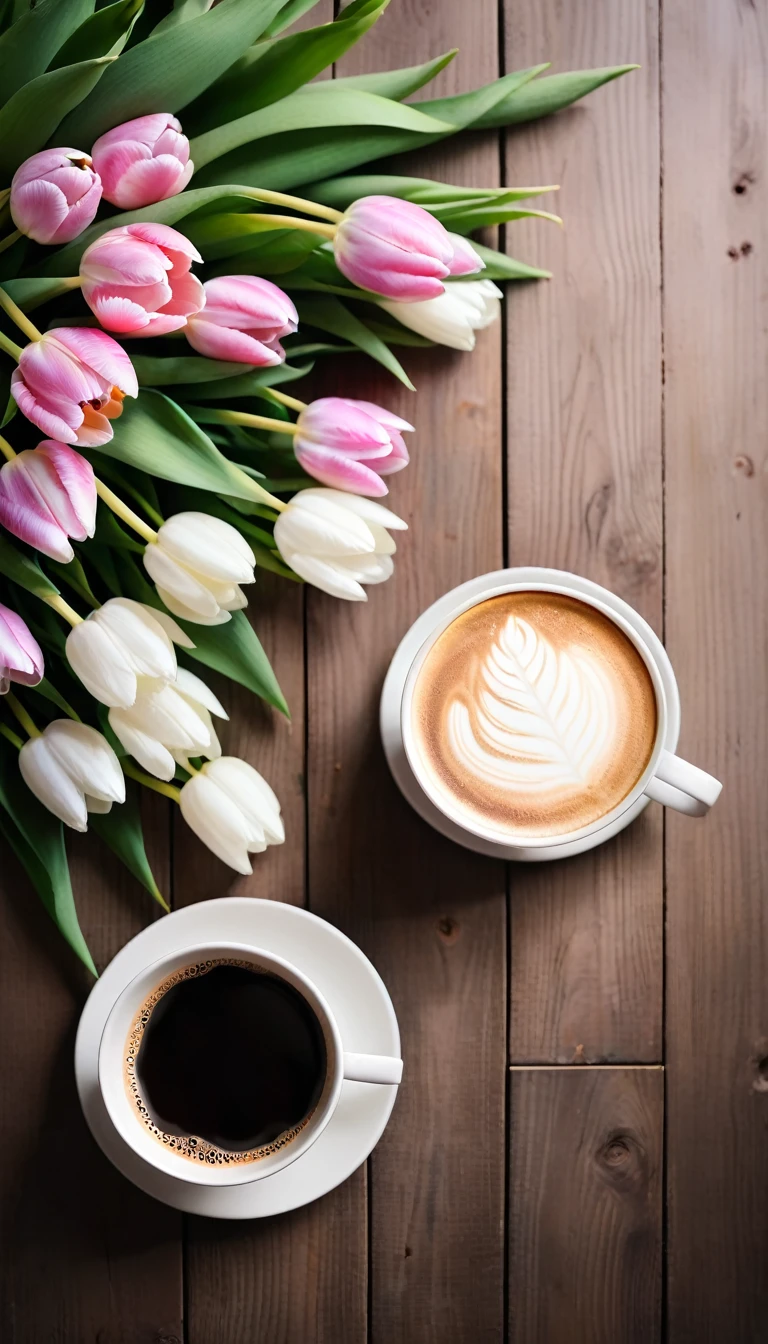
[(395, 686)]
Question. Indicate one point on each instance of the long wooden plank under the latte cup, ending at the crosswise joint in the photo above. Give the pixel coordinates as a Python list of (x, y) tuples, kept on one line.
[(586, 494)]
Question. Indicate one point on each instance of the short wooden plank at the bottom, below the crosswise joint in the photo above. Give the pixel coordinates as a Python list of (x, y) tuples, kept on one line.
[(586, 1240)]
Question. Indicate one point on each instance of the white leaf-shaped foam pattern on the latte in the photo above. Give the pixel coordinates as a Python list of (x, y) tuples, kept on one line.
[(533, 718)]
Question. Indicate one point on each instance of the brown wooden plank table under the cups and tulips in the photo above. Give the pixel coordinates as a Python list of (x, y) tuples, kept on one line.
[(579, 1154)]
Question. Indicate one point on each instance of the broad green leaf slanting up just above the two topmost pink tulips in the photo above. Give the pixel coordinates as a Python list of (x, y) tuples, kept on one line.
[(170, 68)]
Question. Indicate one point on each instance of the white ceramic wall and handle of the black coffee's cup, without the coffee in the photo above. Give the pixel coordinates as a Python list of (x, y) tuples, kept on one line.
[(124, 1112)]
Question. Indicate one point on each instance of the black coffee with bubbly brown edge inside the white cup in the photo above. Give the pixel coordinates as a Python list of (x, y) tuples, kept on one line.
[(225, 1062)]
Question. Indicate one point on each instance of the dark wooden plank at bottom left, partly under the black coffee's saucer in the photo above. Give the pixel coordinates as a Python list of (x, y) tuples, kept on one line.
[(76, 1238)]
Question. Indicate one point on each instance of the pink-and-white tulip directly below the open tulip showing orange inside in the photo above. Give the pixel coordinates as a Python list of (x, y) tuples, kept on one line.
[(46, 497)]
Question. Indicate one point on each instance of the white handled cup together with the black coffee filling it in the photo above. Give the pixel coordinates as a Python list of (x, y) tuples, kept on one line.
[(223, 1064)]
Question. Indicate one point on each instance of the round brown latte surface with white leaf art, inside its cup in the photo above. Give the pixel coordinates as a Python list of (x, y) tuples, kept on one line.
[(533, 716)]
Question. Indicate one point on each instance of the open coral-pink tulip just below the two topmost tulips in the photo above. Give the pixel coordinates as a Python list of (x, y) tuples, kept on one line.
[(138, 282)]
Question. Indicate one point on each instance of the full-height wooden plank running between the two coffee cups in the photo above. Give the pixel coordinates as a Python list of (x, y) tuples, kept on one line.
[(430, 916)]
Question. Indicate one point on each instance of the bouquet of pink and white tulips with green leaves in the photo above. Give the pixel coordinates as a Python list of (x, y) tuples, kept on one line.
[(153, 455)]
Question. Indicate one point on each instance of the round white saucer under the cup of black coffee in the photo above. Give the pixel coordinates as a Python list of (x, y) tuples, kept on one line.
[(358, 999)]
